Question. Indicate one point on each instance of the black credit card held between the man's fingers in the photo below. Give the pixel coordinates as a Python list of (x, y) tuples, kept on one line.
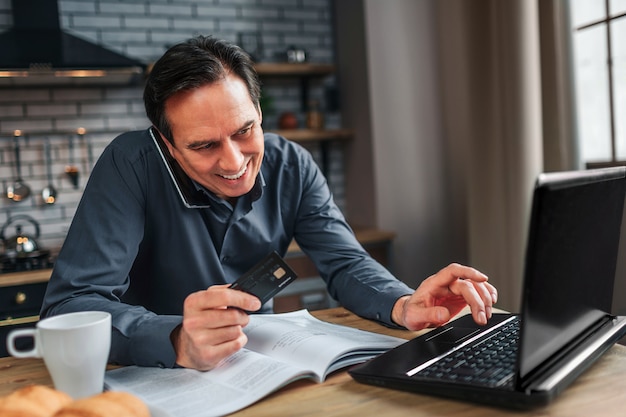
[(266, 278)]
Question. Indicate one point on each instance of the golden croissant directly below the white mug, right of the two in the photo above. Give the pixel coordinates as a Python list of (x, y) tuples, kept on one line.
[(106, 404)]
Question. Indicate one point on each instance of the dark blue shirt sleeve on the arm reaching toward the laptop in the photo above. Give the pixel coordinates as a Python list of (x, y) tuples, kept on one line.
[(353, 277)]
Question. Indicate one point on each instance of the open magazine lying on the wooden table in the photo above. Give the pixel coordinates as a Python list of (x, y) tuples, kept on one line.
[(281, 349)]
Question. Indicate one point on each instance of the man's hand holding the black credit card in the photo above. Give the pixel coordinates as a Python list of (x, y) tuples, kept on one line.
[(212, 328)]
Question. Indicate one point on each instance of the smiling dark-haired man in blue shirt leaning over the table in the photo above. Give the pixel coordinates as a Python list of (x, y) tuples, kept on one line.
[(162, 267)]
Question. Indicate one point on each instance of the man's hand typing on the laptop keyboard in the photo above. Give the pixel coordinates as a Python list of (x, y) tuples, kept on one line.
[(445, 294)]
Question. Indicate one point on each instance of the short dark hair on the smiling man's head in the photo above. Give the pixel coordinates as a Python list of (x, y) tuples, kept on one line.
[(191, 64)]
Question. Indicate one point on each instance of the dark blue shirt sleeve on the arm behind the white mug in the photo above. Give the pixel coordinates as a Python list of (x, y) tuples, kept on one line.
[(92, 269)]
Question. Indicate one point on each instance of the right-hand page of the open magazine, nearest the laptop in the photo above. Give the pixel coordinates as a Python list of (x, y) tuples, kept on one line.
[(307, 342)]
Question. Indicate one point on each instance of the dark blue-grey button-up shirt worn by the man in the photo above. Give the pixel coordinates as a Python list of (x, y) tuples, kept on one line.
[(135, 250)]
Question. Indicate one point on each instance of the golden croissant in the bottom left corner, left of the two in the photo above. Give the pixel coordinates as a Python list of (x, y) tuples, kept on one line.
[(33, 401)]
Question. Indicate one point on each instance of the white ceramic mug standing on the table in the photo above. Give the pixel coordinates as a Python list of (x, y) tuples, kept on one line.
[(75, 348)]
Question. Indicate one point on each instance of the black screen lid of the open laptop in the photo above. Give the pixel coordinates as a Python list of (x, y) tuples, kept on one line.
[(571, 259)]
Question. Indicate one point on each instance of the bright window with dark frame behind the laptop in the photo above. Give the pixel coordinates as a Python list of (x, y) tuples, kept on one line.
[(599, 42)]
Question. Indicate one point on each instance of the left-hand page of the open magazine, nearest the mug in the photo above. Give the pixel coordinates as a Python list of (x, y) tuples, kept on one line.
[(239, 381)]
